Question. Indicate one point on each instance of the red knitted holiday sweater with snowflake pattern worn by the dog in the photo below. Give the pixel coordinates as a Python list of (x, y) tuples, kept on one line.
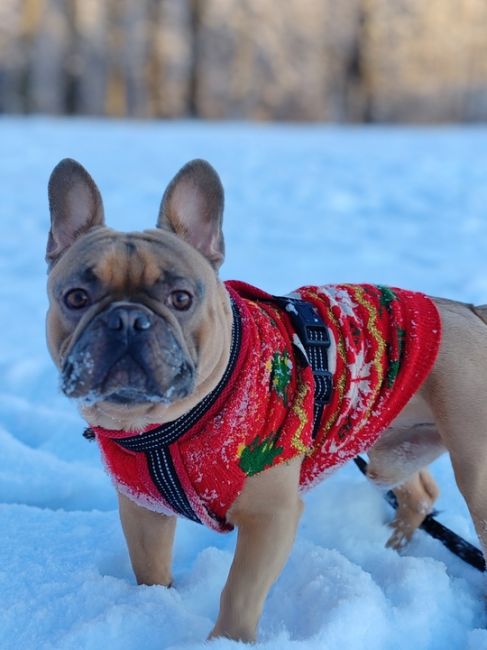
[(383, 345)]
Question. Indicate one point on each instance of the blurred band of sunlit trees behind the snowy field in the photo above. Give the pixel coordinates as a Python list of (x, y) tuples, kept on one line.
[(392, 60)]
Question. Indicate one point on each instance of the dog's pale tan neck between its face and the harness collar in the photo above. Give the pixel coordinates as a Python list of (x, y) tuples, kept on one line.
[(126, 417)]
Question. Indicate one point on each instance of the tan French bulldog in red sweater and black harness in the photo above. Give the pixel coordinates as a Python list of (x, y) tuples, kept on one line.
[(149, 342)]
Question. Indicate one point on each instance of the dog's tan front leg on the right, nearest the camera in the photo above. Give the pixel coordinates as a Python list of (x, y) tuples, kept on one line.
[(266, 514)]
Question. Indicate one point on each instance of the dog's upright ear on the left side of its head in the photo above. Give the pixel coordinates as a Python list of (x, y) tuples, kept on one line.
[(75, 205)]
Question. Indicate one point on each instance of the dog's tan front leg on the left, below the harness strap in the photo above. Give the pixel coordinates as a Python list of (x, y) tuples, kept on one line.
[(150, 538)]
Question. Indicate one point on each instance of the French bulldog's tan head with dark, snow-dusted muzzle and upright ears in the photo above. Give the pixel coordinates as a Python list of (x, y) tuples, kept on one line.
[(135, 319)]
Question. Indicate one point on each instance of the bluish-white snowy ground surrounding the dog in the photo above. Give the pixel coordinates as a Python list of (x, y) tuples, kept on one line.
[(304, 204)]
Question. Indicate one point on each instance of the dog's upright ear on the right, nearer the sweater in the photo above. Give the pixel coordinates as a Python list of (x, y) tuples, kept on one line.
[(192, 207)]
